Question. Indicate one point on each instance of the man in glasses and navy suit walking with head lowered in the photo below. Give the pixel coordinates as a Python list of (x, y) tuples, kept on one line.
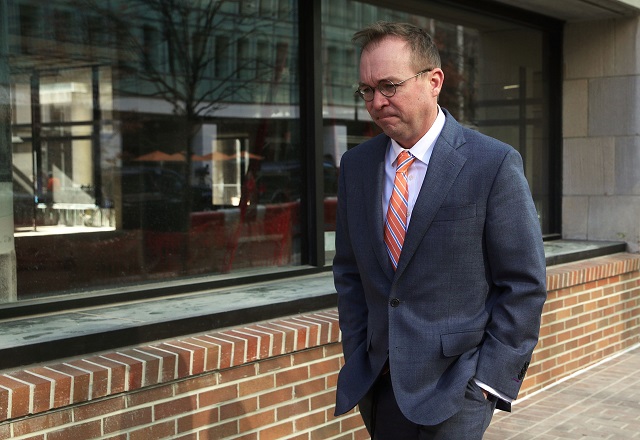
[(439, 320)]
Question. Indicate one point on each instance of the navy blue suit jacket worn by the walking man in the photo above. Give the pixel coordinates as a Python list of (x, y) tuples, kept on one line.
[(466, 298)]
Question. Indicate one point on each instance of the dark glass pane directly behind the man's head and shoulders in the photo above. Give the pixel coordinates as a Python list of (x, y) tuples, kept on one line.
[(494, 82)]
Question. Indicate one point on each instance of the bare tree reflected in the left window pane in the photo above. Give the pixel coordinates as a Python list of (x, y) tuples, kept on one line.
[(188, 53)]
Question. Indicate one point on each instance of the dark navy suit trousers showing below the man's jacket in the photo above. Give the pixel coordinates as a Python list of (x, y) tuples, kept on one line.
[(384, 420)]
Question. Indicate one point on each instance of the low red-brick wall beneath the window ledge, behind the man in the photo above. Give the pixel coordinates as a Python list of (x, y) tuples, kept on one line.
[(276, 379)]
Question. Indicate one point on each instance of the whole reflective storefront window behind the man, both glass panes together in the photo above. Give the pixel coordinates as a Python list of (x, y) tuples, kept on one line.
[(156, 140)]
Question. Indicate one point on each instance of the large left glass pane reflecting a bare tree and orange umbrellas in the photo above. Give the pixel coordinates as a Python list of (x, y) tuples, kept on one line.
[(152, 139)]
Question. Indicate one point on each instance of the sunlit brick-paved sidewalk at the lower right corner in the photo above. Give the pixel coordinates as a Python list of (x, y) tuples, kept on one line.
[(602, 402)]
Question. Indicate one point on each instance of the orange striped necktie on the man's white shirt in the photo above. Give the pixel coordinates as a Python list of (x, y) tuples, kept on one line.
[(396, 224)]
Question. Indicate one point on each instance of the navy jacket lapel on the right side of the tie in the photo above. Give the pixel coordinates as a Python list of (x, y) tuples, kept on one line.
[(444, 167)]
